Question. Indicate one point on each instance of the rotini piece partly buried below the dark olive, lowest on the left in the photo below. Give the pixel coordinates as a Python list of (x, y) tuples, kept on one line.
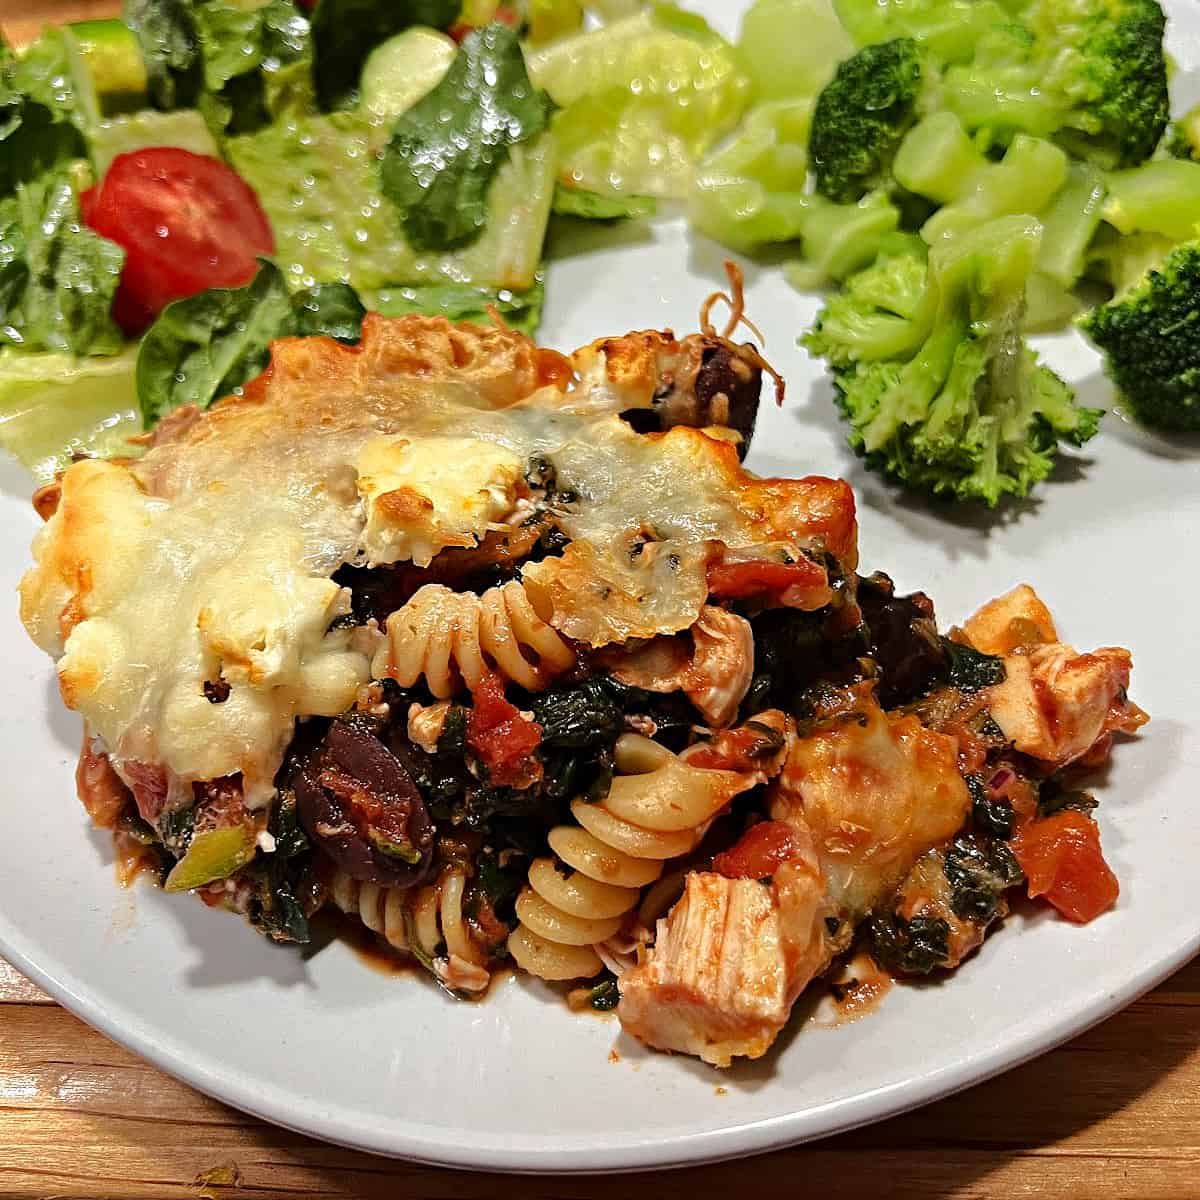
[(425, 922)]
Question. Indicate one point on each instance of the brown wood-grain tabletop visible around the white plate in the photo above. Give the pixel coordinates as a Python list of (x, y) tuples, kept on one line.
[(1114, 1114)]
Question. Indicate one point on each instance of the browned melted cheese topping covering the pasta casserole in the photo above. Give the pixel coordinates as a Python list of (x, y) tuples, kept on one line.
[(211, 559)]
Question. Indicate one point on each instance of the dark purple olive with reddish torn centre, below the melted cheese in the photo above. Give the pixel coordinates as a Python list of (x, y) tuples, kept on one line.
[(362, 808)]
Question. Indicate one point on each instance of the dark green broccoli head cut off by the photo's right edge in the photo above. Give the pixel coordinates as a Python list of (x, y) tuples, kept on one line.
[(1151, 341)]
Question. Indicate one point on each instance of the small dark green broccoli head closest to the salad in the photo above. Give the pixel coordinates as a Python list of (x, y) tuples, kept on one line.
[(861, 117)]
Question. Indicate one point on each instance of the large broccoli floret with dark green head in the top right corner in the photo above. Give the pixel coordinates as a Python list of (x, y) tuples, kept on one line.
[(1091, 73)]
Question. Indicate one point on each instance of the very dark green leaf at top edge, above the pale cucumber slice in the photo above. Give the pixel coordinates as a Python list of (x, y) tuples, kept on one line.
[(345, 33)]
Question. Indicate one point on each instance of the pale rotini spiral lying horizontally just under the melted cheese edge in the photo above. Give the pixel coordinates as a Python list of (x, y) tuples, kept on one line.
[(454, 639)]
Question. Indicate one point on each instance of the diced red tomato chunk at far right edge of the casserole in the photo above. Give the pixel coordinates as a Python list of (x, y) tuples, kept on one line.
[(1063, 861)]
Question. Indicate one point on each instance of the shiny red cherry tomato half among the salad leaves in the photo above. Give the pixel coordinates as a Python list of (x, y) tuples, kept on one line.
[(187, 221)]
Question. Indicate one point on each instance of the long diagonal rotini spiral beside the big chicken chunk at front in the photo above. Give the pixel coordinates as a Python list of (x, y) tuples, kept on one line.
[(658, 809)]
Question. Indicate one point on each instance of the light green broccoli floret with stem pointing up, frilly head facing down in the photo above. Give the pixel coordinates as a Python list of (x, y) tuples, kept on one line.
[(934, 377)]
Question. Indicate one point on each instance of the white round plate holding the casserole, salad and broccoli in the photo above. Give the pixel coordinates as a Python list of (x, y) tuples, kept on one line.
[(328, 1047)]
